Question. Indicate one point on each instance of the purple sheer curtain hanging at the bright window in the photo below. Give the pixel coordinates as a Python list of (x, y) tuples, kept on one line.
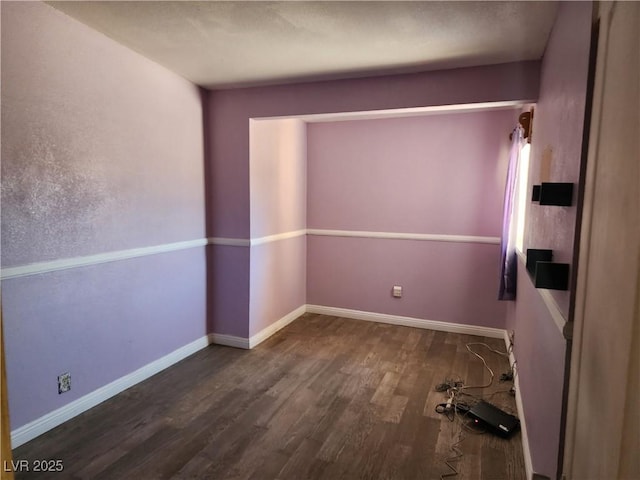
[(509, 259)]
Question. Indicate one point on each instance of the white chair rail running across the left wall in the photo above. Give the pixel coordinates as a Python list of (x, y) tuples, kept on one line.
[(75, 262)]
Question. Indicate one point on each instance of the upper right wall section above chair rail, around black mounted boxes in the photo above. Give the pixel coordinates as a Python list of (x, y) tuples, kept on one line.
[(557, 132)]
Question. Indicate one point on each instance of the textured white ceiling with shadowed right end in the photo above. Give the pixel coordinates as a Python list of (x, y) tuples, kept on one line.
[(222, 44)]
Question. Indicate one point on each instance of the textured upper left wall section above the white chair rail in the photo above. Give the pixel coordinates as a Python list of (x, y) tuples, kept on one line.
[(102, 149)]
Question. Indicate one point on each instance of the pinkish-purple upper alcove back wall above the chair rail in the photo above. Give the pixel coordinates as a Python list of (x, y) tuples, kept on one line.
[(440, 174)]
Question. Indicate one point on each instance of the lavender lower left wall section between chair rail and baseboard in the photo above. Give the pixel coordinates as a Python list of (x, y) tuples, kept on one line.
[(98, 323)]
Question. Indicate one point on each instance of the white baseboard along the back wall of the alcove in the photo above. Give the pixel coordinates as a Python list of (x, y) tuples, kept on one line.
[(407, 321)]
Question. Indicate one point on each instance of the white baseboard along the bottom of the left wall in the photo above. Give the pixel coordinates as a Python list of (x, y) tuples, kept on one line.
[(51, 420)]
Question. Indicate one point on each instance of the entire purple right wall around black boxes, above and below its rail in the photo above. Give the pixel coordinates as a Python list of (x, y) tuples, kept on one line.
[(555, 156)]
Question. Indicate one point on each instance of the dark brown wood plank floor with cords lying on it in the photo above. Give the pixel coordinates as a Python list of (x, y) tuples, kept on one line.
[(324, 398)]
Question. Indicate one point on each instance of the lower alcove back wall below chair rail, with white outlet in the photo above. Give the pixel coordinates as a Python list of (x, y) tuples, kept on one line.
[(441, 281)]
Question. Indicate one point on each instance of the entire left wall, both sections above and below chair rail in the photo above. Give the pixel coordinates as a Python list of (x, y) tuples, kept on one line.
[(102, 150)]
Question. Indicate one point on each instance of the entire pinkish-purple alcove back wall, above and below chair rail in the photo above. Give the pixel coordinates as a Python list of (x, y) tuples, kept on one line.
[(437, 174)]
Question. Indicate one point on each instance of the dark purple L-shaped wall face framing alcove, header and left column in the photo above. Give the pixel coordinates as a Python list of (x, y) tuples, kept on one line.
[(229, 111)]
